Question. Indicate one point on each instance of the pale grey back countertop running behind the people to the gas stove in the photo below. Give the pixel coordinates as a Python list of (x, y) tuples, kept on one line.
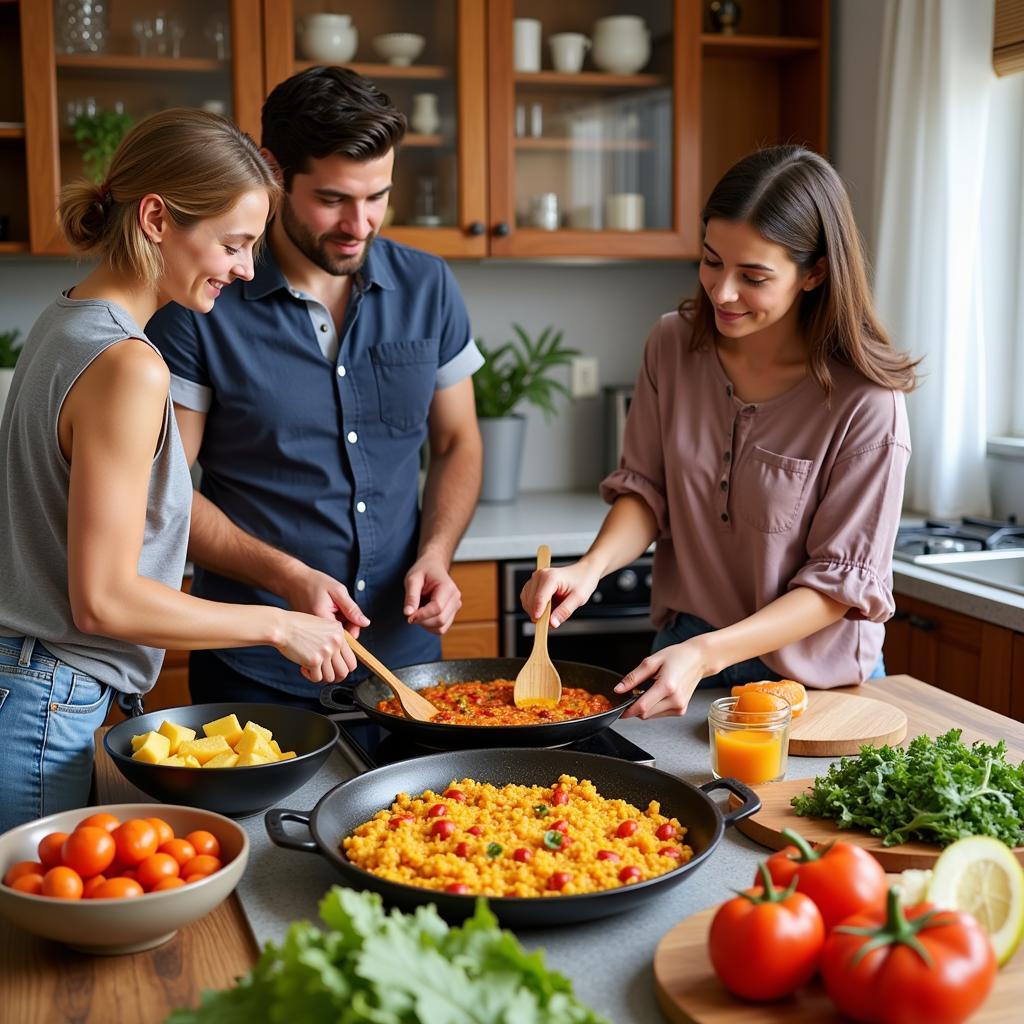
[(569, 522)]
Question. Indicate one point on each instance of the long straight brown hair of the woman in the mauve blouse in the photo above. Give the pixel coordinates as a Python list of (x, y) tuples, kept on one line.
[(794, 198)]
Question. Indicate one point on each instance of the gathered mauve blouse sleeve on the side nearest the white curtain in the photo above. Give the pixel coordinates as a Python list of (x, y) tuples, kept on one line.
[(850, 543)]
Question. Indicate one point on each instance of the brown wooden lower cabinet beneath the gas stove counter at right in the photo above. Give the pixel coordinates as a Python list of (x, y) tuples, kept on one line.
[(959, 654)]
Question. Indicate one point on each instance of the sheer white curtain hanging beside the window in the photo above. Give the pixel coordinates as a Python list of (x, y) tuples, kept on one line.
[(929, 275)]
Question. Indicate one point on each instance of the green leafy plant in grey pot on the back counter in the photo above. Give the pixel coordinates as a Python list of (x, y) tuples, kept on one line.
[(518, 371)]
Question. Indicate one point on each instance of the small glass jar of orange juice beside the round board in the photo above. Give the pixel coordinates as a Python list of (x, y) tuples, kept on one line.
[(750, 745)]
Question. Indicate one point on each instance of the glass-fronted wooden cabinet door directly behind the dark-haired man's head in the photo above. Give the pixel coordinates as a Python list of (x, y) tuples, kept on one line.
[(429, 57)]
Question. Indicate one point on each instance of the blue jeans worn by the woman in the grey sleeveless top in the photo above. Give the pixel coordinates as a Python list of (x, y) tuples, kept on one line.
[(49, 715)]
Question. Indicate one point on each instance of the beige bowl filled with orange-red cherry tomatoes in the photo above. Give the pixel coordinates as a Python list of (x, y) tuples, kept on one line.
[(120, 878)]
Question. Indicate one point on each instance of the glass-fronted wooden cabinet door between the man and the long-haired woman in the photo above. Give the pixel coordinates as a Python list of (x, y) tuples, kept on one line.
[(589, 112)]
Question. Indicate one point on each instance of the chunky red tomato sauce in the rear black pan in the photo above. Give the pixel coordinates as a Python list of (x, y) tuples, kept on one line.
[(491, 704)]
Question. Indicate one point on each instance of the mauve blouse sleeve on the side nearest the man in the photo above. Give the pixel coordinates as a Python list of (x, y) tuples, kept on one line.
[(642, 471)]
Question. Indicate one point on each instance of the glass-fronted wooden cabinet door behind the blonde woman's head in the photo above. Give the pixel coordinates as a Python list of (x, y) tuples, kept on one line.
[(97, 67)]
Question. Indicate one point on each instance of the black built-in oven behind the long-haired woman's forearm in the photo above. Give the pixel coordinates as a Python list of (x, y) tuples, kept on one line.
[(613, 630)]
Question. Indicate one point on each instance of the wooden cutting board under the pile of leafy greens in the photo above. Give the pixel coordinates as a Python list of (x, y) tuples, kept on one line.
[(776, 815)]
